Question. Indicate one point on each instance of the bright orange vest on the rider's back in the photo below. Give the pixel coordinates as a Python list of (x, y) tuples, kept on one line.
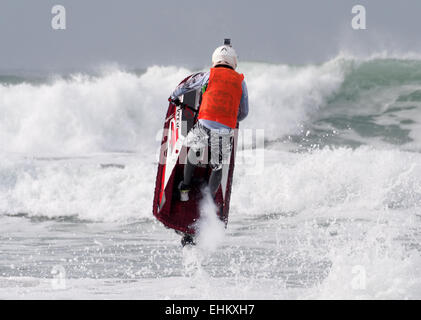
[(222, 97)]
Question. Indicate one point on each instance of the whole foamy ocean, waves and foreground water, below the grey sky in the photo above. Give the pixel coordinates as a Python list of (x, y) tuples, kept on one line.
[(329, 208)]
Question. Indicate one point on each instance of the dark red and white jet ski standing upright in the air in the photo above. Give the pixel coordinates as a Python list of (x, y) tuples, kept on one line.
[(167, 207)]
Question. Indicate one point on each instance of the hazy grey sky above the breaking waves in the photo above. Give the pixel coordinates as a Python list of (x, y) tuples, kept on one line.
[(136, 34)]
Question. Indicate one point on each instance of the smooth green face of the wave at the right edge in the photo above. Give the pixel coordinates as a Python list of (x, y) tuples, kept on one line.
[(379, 102)]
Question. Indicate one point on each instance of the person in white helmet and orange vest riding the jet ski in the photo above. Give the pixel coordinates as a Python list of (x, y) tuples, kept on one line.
[(224, 102)]
